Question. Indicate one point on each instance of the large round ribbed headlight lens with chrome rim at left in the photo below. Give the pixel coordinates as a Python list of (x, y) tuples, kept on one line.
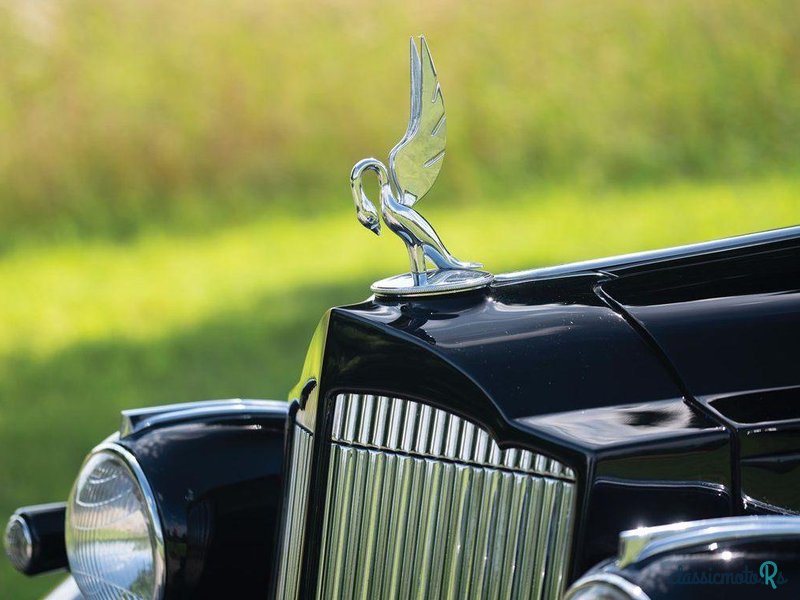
[(113, 534)]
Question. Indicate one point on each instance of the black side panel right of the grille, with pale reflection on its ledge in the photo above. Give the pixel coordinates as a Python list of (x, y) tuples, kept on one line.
[(656, 462)]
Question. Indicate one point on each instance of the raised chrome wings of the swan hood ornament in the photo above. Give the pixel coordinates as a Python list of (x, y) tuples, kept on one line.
[(415, 162)]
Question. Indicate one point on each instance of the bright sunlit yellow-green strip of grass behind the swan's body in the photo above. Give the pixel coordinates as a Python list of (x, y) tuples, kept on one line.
[(56, 296)]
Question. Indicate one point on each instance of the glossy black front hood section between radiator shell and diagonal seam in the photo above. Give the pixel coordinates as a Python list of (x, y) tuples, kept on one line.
[(532, 348)]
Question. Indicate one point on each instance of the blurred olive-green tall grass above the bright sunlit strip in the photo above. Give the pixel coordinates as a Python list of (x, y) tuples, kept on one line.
[(118, 113)]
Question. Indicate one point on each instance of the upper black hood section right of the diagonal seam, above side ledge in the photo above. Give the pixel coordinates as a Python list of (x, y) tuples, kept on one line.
[(729, 323)]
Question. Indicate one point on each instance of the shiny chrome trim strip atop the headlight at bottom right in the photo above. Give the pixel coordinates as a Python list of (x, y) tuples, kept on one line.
[(646, 542)]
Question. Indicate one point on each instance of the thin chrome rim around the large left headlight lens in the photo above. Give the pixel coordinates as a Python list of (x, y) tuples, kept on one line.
[(129, 460)]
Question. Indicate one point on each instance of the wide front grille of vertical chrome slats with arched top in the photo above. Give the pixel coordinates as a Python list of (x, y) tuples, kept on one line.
[(422, 503)]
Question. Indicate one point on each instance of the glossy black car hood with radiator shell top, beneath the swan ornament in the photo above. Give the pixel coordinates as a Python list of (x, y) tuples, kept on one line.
[(611, 333)]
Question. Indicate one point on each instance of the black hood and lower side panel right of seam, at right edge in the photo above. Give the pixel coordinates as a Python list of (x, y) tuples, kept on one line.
[(730, 325)]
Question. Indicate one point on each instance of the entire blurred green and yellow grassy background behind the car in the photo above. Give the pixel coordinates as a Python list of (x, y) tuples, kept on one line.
[(174, 208)]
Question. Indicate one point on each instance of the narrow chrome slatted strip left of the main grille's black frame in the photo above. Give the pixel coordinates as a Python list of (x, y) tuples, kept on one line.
[(294, 515)]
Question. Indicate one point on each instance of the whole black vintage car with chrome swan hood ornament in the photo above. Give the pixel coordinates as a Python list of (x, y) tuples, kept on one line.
[(623, 428)]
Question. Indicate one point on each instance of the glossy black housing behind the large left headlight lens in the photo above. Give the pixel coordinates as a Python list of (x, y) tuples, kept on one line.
[(218, 480)]
